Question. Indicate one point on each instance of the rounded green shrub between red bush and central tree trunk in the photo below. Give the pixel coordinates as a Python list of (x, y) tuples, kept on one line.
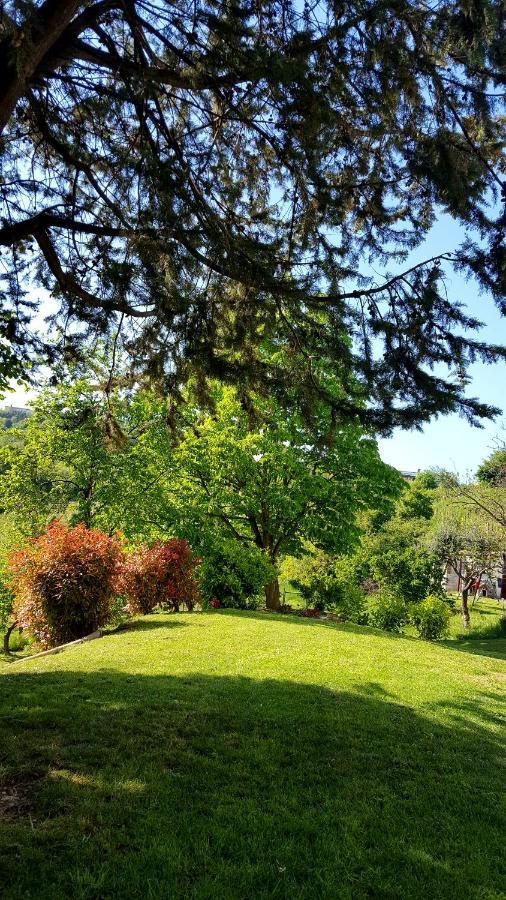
[(234, 575)]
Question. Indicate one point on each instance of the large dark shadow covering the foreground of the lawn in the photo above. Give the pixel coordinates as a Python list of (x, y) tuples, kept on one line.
[(121, 785)]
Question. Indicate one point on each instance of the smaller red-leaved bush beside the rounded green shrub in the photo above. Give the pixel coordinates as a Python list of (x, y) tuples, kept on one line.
[(160, 575)]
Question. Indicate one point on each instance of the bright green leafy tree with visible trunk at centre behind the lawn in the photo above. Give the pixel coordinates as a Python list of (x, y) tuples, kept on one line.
[(272, 482)]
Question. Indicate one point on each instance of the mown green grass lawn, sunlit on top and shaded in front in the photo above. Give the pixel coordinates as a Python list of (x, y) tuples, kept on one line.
[(244, 755)]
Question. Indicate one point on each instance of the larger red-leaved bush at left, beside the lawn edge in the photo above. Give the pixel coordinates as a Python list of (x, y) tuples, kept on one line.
[(63, 582)]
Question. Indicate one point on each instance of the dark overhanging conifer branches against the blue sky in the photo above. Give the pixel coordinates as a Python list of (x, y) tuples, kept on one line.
[(226, 179)]
